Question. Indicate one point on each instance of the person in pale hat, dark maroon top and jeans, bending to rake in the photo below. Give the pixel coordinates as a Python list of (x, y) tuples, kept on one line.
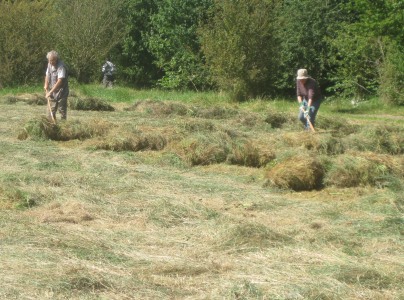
[(309, 97)]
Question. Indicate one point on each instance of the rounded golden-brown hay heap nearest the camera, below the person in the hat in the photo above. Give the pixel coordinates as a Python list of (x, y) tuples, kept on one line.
[(299, 173)]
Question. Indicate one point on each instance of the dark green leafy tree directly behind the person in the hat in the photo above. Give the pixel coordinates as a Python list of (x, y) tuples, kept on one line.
[(305, 30)]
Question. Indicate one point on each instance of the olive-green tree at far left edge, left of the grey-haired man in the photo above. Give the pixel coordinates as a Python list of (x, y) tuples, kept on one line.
[(23, 47)]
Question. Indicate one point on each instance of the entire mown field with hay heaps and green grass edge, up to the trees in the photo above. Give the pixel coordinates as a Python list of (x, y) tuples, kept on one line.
[(162, 196)]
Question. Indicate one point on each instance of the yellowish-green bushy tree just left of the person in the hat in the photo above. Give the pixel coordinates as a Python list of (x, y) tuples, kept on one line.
[(240, 47)]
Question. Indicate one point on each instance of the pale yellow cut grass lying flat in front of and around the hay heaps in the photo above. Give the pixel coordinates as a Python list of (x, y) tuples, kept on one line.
[(130, 224)]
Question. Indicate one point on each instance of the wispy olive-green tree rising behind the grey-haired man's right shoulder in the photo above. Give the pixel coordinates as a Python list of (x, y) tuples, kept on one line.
[(84, 32)]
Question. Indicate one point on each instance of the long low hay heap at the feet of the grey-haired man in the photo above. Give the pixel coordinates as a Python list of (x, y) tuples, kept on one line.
[(42, 128)]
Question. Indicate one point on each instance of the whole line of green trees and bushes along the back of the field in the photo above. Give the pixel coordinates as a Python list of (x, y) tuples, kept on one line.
[(355, 48)]
